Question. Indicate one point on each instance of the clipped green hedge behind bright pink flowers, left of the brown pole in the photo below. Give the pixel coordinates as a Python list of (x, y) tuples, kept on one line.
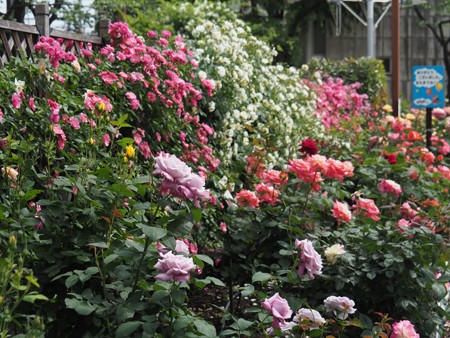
[(369, 72)]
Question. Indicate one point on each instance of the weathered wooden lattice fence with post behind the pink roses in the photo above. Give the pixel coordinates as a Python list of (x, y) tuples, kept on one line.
[(18, 39)]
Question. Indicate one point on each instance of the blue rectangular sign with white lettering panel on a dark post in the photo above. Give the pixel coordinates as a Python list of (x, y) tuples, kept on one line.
[(428, 87)]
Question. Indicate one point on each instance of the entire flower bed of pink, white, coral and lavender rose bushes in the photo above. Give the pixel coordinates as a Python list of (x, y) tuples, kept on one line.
[(115, 211)]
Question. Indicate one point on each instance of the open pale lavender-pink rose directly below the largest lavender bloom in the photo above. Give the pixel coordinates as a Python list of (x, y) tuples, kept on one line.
[(176, 267)]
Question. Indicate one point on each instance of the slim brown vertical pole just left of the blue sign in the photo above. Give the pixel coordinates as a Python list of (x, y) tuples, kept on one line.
[(395, 83)]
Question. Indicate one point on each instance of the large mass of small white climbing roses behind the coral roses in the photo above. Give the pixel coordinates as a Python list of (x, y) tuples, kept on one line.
[(263, 107)]
